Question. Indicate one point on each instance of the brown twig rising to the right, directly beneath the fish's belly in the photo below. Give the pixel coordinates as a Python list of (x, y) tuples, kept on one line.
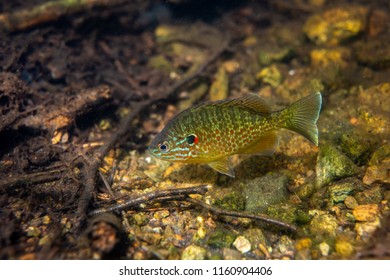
[(169, 194)]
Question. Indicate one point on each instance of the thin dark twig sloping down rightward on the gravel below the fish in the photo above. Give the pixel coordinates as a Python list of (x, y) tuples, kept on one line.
[(240, 214)]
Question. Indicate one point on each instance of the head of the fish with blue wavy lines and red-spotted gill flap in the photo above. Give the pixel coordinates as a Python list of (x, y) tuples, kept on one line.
[(175, 147)]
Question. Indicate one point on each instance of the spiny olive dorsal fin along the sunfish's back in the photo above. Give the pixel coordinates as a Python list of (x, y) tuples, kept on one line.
[(251, 101)]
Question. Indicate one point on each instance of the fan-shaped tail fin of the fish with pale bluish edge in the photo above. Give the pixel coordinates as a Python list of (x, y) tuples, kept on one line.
[(302, 116)]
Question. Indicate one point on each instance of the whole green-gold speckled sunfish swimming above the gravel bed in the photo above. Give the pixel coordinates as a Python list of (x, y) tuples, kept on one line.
[(213, 131)]
